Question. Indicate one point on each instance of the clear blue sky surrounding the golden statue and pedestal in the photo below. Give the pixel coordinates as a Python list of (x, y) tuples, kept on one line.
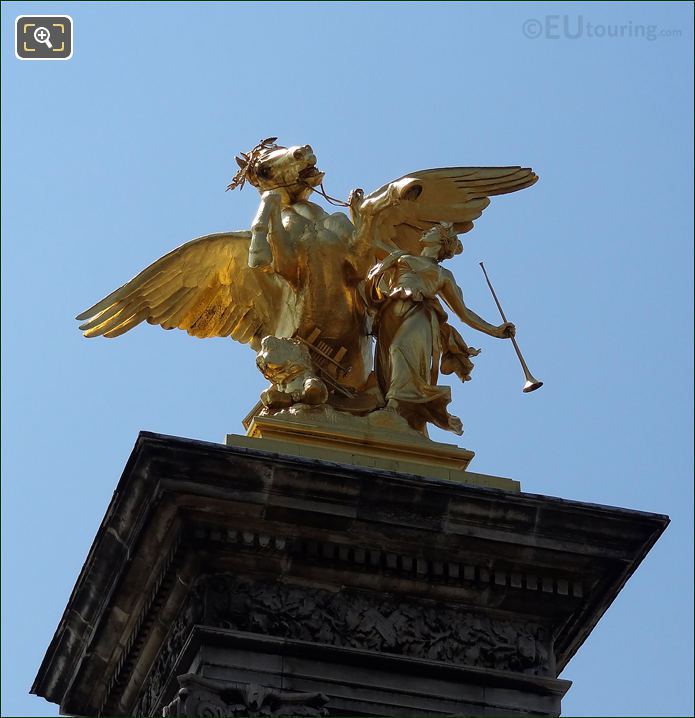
[(123, 152)]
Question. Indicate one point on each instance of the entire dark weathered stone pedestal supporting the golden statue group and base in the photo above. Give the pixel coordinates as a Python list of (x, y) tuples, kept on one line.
[(229, 580)]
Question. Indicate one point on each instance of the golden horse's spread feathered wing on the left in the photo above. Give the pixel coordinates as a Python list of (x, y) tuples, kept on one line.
[(205, 287)]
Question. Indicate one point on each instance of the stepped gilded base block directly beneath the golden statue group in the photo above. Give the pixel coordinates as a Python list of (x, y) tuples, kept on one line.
[(382, 440)]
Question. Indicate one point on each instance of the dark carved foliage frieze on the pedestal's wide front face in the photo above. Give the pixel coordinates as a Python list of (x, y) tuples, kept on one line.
[(358, 619)]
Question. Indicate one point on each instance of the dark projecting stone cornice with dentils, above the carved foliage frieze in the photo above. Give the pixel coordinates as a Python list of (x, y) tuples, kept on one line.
[(486, 548)]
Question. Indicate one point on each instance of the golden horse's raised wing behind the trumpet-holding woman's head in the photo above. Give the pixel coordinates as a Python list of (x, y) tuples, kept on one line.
[(448, 194)]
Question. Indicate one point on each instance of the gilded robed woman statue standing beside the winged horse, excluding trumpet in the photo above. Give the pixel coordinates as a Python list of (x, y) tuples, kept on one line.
[(412, 333)]
